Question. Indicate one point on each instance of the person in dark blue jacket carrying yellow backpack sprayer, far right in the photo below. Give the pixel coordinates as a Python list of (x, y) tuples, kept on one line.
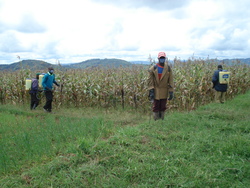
[(220, 84)]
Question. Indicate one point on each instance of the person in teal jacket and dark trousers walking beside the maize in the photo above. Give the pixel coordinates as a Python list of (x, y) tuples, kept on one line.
[(47, 83)]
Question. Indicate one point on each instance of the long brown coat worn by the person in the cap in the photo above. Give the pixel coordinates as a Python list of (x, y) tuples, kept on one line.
[(163, 86)]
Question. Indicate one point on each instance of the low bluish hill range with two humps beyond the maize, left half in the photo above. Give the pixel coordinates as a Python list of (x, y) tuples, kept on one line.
[(38, 65)]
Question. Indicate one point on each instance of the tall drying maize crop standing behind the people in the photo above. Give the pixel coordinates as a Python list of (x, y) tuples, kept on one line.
[(127, 87)]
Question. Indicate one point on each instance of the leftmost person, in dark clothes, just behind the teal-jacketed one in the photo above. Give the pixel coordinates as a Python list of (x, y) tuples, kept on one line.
[(33, 92)]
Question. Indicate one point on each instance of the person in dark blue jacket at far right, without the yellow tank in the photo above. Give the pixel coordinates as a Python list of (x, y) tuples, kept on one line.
[(220, 89)]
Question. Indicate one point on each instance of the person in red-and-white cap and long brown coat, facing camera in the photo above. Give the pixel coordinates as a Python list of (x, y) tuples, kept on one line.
[(160, 85)]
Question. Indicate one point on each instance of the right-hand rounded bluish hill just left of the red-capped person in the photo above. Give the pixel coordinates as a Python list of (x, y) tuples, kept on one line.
[(106, 63)]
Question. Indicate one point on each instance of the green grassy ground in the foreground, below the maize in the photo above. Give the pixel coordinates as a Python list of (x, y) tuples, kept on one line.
[(87, 147)]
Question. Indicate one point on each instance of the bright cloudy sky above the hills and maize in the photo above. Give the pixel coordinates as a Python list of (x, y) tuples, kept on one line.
[(76, 30)]
